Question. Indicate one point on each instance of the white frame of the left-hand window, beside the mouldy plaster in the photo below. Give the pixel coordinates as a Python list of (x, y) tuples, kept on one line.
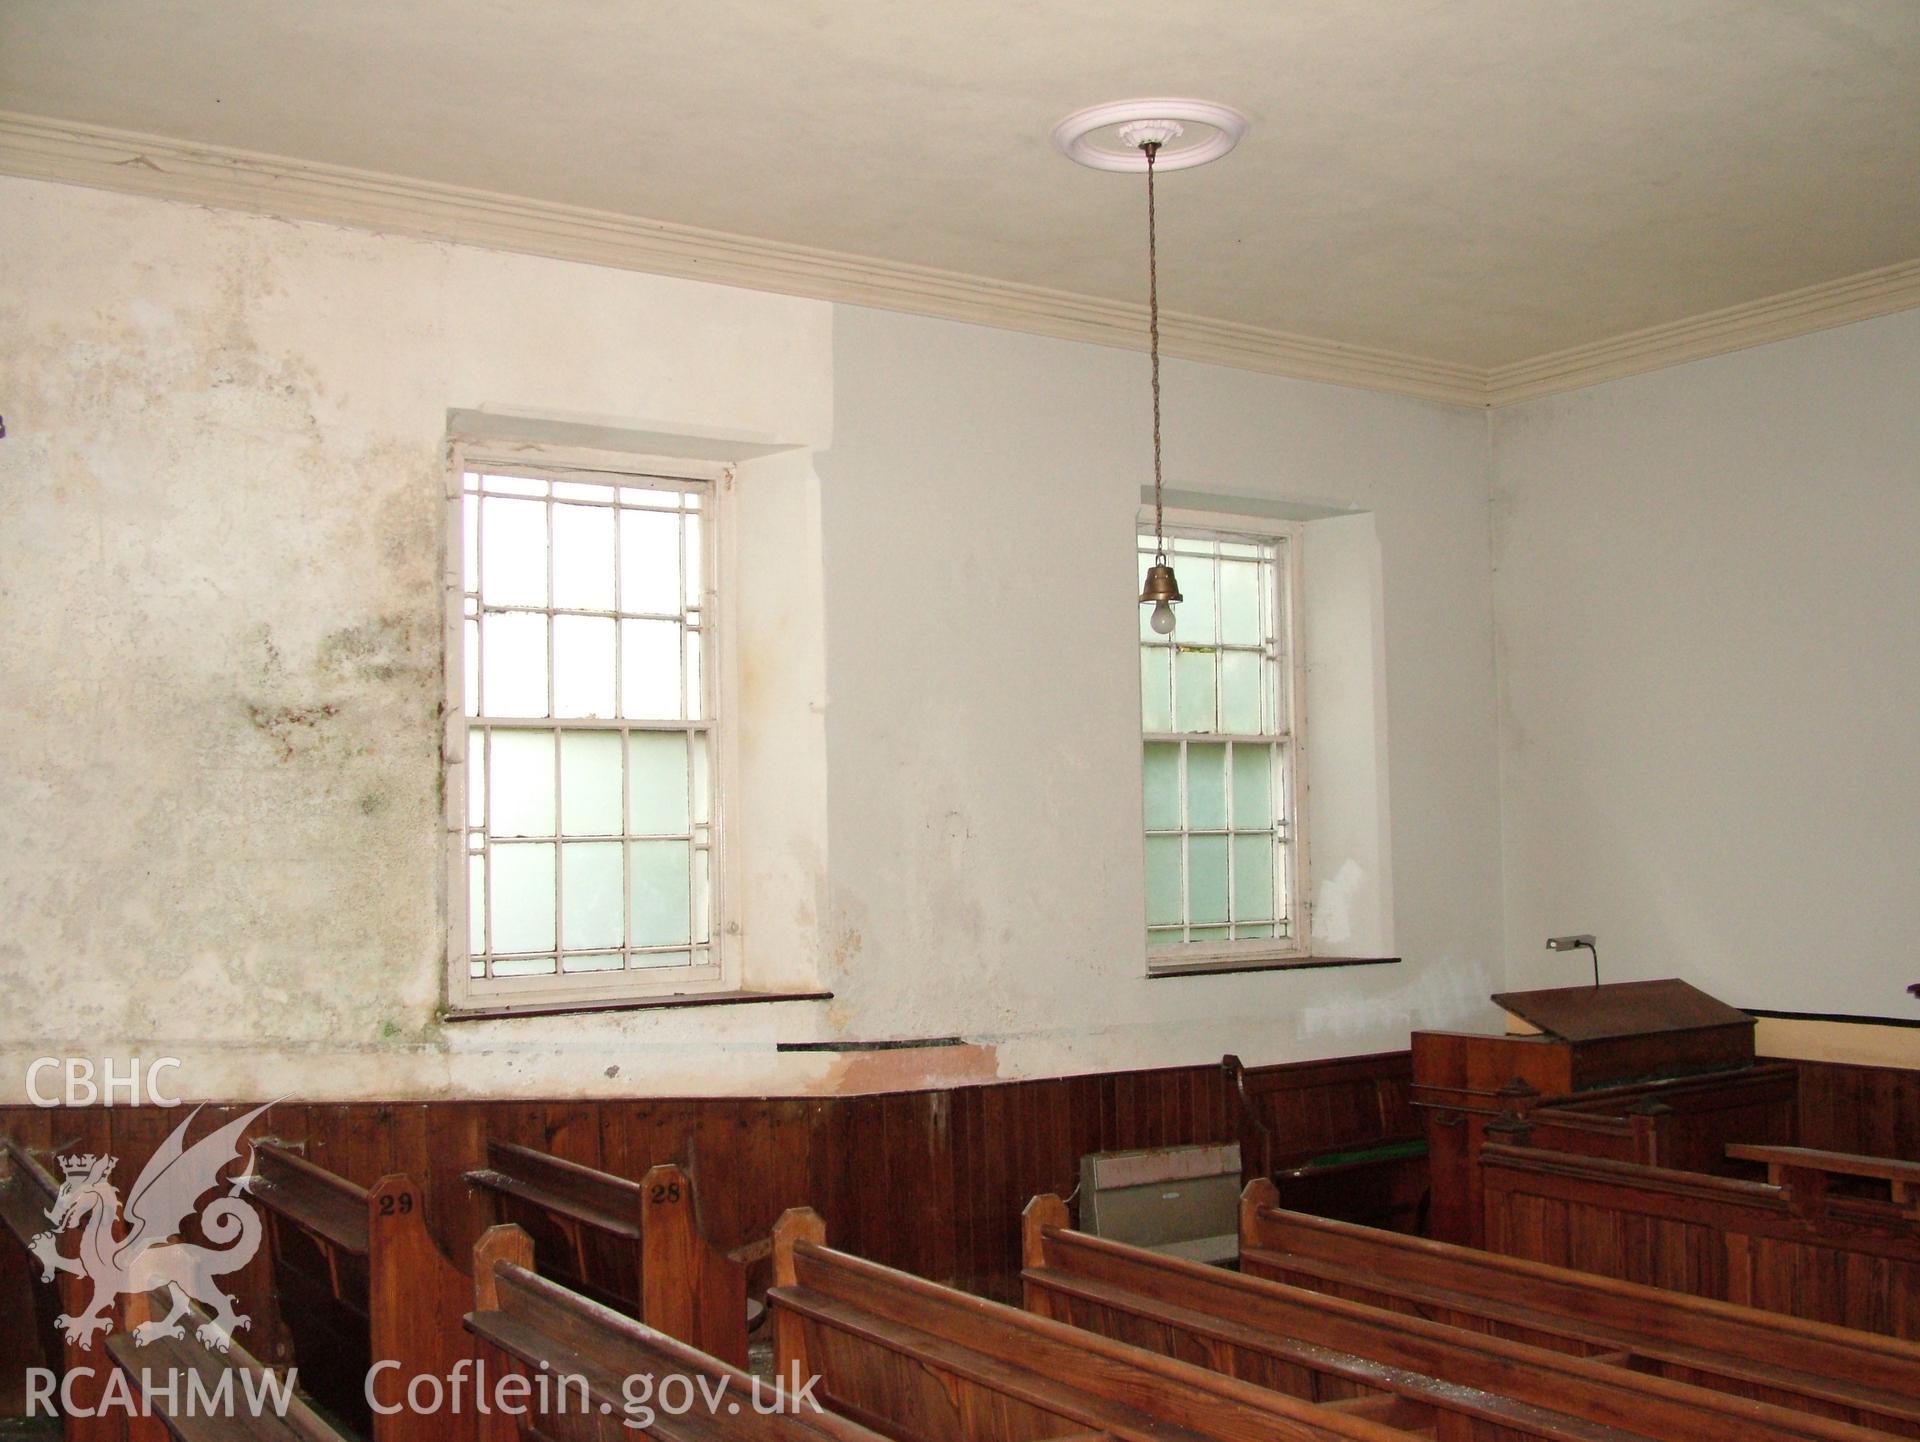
[(587, 990)]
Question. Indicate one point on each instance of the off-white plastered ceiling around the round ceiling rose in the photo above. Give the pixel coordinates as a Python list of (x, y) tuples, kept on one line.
[(1472, 181)]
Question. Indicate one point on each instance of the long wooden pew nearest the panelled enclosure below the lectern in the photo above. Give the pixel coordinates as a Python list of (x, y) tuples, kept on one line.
[(1813, 1368)]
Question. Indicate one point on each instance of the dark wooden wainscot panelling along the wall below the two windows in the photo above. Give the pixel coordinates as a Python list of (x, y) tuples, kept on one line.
[(930, 1182)]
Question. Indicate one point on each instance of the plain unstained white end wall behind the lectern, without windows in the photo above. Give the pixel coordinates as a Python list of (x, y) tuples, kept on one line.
[(1710, 669)]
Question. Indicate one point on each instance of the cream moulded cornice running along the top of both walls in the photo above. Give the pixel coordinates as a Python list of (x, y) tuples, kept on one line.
[(308, 191)]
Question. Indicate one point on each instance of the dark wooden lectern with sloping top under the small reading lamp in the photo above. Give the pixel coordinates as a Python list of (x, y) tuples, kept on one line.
[(1562, 1045)]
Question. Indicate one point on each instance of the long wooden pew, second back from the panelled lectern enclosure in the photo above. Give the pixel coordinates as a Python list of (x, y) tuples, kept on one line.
[(1318, 1347)]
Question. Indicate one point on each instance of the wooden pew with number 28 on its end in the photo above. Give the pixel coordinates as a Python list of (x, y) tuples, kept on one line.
[(631, 1245)]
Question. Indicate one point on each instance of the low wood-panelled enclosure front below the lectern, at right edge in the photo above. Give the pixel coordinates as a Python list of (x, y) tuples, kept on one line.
[(1829, 1259)]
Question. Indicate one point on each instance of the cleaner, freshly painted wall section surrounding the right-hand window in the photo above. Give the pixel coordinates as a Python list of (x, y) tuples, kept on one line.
[(984, 723)]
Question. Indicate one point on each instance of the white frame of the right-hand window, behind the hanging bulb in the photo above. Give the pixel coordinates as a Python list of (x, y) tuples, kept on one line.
[(1289, 602)]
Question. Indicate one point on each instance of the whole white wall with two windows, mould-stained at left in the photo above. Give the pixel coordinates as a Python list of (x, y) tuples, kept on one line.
[(220, 519)]
